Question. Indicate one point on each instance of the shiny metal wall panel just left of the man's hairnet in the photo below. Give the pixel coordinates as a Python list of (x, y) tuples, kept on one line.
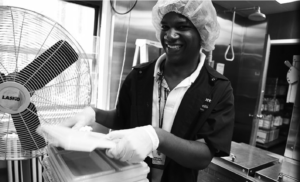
[(139, 26)]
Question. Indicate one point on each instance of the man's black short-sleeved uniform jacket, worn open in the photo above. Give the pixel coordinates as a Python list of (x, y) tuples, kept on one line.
[(206, 111)]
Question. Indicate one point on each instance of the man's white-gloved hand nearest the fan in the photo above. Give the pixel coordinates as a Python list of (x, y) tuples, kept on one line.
[(84, 118)]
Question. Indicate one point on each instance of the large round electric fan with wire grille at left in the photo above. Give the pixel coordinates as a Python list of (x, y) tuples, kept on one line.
[(44, 78)]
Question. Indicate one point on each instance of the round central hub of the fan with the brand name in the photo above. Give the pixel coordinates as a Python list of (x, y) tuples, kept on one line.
[(14, 97)]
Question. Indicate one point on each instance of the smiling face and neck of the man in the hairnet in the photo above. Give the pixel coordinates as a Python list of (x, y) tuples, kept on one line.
[(181, 42)]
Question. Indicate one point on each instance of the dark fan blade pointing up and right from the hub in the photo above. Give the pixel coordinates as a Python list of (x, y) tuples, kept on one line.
[(47, 66)]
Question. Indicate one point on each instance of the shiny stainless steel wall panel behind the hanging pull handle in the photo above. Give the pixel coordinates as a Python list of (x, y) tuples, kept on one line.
[(245, 71)]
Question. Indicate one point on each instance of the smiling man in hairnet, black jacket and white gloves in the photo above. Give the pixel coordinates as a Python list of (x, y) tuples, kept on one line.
[(176, 112)]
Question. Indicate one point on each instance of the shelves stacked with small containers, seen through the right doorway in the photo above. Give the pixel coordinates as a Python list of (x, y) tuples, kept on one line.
[(274, 124)]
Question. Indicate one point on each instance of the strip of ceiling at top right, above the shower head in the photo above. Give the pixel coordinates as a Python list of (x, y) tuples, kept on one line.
[(266, 7)]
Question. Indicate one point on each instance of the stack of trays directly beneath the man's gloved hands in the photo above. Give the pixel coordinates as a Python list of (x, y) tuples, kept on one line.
[(73, 166)]
